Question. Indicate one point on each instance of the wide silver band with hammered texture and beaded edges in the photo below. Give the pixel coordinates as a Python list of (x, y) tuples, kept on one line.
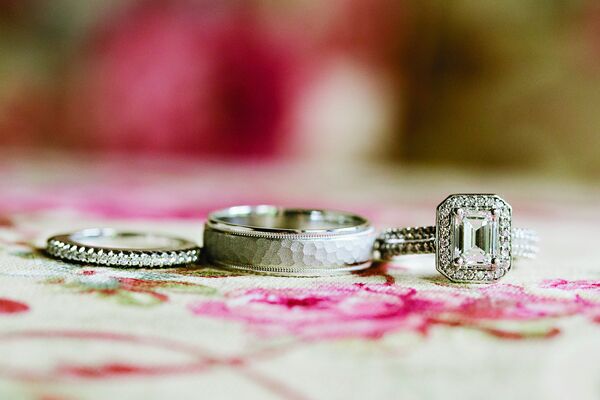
[(288, 241)]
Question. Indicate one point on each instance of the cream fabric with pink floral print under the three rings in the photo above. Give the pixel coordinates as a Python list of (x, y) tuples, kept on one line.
[(397, 330)]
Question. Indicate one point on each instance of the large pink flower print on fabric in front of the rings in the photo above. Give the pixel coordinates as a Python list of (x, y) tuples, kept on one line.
[(374, 310)]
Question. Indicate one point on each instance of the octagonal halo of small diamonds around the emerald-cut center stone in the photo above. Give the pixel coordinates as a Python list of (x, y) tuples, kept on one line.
[(484, 202)]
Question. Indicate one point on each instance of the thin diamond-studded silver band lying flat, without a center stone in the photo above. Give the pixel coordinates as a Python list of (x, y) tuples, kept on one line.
[(113, 248)]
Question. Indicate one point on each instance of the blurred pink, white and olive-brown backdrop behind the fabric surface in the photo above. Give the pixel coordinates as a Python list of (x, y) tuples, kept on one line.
[(480, 85)]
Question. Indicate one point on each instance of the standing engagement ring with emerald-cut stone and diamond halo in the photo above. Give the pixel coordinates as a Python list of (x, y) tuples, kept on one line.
[(473, 239)]
